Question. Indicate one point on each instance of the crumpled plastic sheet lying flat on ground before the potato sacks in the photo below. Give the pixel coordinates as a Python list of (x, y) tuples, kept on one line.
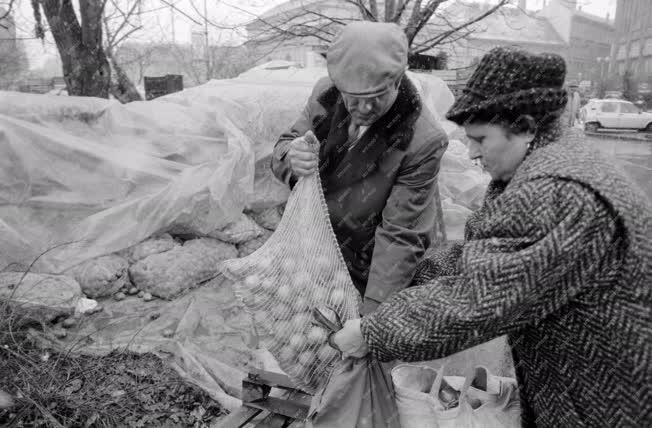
[(205, 335)]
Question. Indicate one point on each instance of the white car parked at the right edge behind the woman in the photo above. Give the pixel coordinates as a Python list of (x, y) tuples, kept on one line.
[(614, 114)]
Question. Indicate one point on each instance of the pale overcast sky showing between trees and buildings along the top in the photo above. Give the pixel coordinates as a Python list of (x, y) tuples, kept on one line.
[(176, 20)]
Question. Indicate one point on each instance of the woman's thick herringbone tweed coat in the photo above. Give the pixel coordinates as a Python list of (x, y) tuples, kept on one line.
[(559, 260)]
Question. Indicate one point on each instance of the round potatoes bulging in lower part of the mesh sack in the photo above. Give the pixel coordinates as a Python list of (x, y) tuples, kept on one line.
[(284, 312)]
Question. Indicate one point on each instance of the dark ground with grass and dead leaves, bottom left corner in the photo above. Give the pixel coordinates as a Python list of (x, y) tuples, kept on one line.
[(54, 389)]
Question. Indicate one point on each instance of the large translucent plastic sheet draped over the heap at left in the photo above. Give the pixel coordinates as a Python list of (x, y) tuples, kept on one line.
[(99, 176)]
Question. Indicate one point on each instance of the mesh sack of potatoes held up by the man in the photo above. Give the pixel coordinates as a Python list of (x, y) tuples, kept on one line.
[(298, 268)]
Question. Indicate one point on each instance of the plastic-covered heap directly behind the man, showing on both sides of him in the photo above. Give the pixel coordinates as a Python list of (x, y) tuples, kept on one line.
[(267, 100)]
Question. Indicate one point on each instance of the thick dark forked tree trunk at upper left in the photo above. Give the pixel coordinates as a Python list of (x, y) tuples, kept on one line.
[(86, 70)]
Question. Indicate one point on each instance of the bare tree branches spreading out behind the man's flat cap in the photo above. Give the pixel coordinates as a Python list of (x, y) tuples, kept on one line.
[(426, 23)]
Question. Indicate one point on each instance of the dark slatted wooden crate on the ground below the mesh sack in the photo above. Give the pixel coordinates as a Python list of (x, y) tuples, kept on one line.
[(259, 409)]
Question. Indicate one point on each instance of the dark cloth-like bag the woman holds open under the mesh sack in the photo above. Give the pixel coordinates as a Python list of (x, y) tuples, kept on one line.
[(359, 394)]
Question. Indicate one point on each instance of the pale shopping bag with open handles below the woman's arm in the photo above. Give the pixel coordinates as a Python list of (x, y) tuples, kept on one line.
[(425, 398)]
